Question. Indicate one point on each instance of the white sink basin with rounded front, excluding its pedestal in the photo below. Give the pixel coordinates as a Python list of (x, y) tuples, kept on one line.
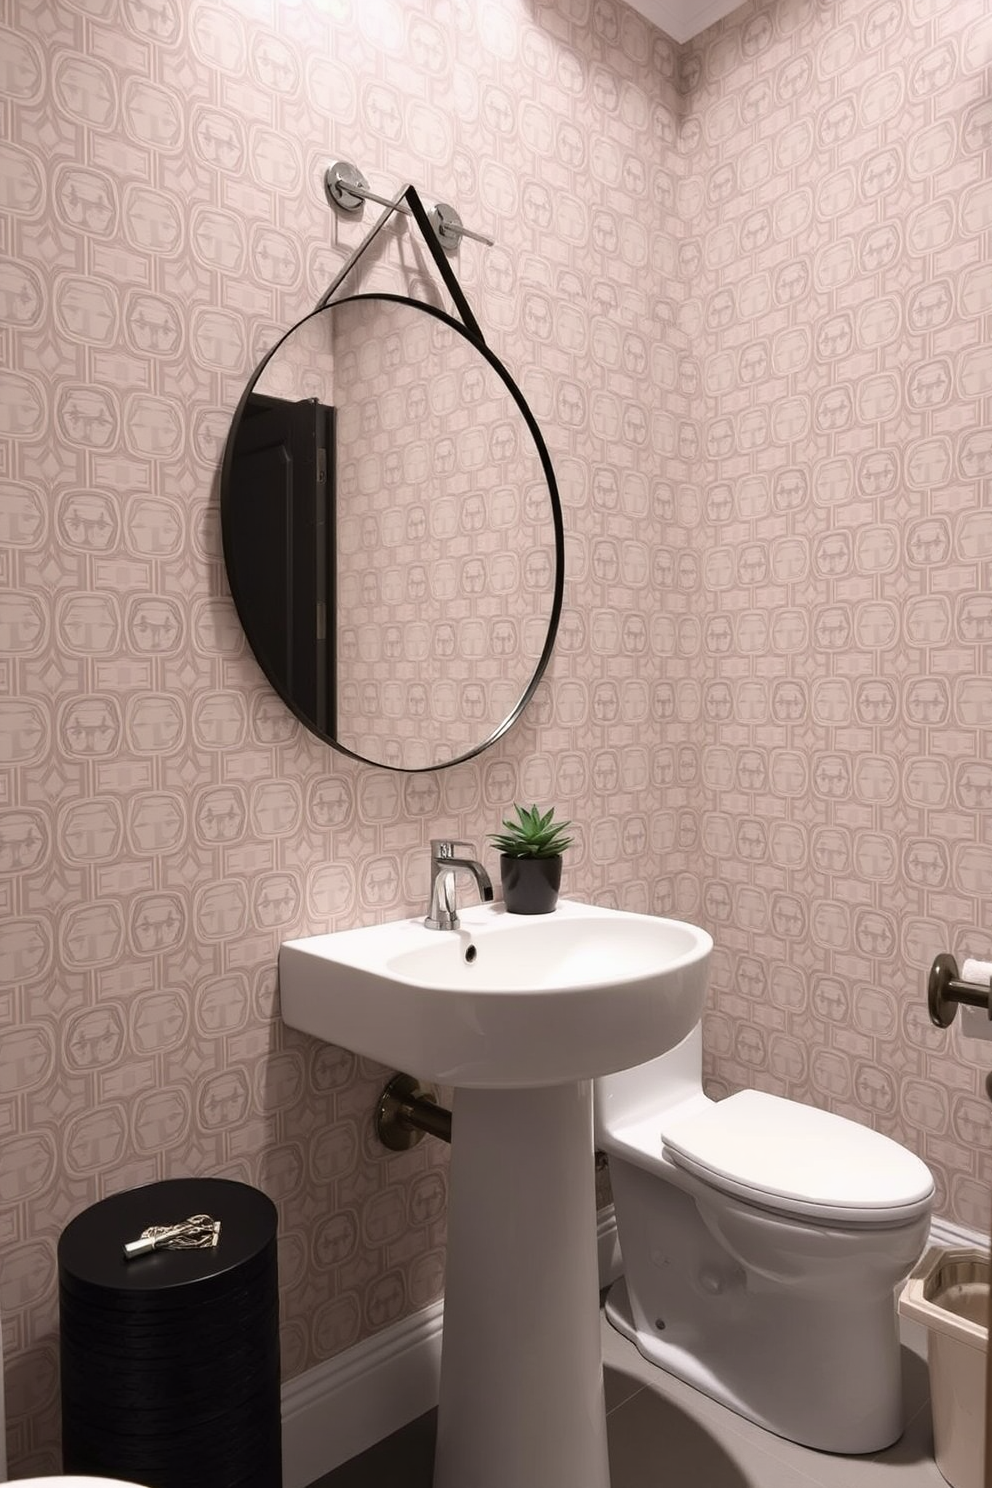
[(506, 1002)]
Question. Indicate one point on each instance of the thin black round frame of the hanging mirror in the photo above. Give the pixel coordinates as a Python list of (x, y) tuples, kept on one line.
[(228, 517)]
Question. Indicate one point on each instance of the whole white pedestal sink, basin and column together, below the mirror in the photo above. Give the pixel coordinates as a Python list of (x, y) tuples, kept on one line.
[(520, 1014)]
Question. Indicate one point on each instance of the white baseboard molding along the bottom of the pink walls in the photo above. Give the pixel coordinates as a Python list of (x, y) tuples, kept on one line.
[(352, 1402)]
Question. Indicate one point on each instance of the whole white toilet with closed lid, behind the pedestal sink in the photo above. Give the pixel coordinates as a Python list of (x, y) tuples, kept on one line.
[(762, 1246)]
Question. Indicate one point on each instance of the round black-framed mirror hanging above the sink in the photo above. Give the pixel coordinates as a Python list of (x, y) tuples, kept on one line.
[(393, 533)]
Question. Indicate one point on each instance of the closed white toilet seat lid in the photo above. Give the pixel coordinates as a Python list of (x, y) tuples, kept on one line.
[(799, 1160)]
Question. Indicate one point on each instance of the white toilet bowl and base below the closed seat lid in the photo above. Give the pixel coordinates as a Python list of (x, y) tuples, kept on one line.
[(788, 1324)]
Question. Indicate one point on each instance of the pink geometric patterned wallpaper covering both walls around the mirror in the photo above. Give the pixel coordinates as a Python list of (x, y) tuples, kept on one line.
[(746, 289)]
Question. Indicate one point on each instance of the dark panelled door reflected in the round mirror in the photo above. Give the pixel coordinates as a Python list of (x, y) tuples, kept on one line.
[(282, 547)]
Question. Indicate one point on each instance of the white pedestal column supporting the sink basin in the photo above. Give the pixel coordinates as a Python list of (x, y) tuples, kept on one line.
[(521, 1379)]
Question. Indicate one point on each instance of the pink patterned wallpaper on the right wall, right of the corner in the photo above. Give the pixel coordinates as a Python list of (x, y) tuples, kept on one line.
[(838, 218)]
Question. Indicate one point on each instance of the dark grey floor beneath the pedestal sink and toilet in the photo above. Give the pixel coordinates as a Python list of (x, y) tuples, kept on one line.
[(666, 1435)]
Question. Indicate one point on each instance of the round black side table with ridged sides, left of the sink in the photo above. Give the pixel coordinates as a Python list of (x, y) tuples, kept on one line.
[(170, 1364)]
